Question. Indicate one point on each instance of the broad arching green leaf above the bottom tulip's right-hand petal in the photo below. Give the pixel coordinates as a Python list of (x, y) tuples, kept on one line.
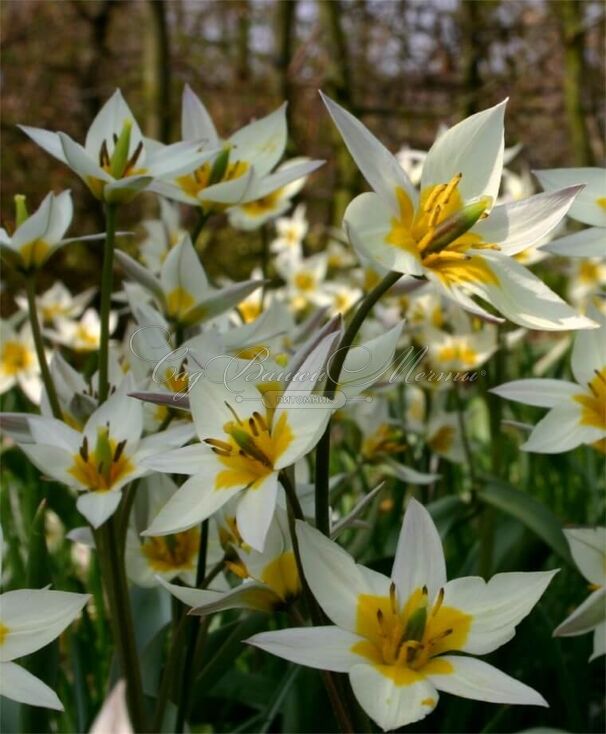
[(531, 513)]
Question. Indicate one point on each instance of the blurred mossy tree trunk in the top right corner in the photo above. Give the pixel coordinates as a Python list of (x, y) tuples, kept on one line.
[(570, 16)]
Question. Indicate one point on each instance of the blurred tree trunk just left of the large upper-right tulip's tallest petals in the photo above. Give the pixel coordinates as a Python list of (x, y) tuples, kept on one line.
[(338, 85)]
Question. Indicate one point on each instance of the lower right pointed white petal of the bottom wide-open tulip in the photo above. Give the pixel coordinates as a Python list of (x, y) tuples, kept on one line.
[(480, 681)]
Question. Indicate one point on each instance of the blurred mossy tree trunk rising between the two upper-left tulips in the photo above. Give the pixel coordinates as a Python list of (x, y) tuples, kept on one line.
[(156, 71)]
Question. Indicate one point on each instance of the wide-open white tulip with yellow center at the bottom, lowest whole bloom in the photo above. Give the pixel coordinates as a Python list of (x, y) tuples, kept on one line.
[(395, 636)]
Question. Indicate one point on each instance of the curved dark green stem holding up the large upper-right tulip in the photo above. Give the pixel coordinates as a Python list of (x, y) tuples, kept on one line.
[(334, 372)]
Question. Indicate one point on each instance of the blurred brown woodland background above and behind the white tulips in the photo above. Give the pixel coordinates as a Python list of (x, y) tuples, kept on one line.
[(403, 66)]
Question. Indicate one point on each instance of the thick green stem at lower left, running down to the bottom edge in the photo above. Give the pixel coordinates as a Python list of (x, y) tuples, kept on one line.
[(122, 621)]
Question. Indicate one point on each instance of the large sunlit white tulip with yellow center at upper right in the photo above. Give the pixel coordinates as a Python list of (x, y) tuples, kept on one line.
[(450, 233)]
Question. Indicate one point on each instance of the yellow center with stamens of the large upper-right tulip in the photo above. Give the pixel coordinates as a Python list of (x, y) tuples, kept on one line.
[(436, 234)]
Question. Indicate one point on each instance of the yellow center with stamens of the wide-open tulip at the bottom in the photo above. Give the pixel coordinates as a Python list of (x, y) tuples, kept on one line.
[(405, 643)]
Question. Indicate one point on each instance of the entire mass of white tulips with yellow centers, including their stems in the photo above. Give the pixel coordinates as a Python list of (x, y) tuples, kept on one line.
[(204, 440)]
